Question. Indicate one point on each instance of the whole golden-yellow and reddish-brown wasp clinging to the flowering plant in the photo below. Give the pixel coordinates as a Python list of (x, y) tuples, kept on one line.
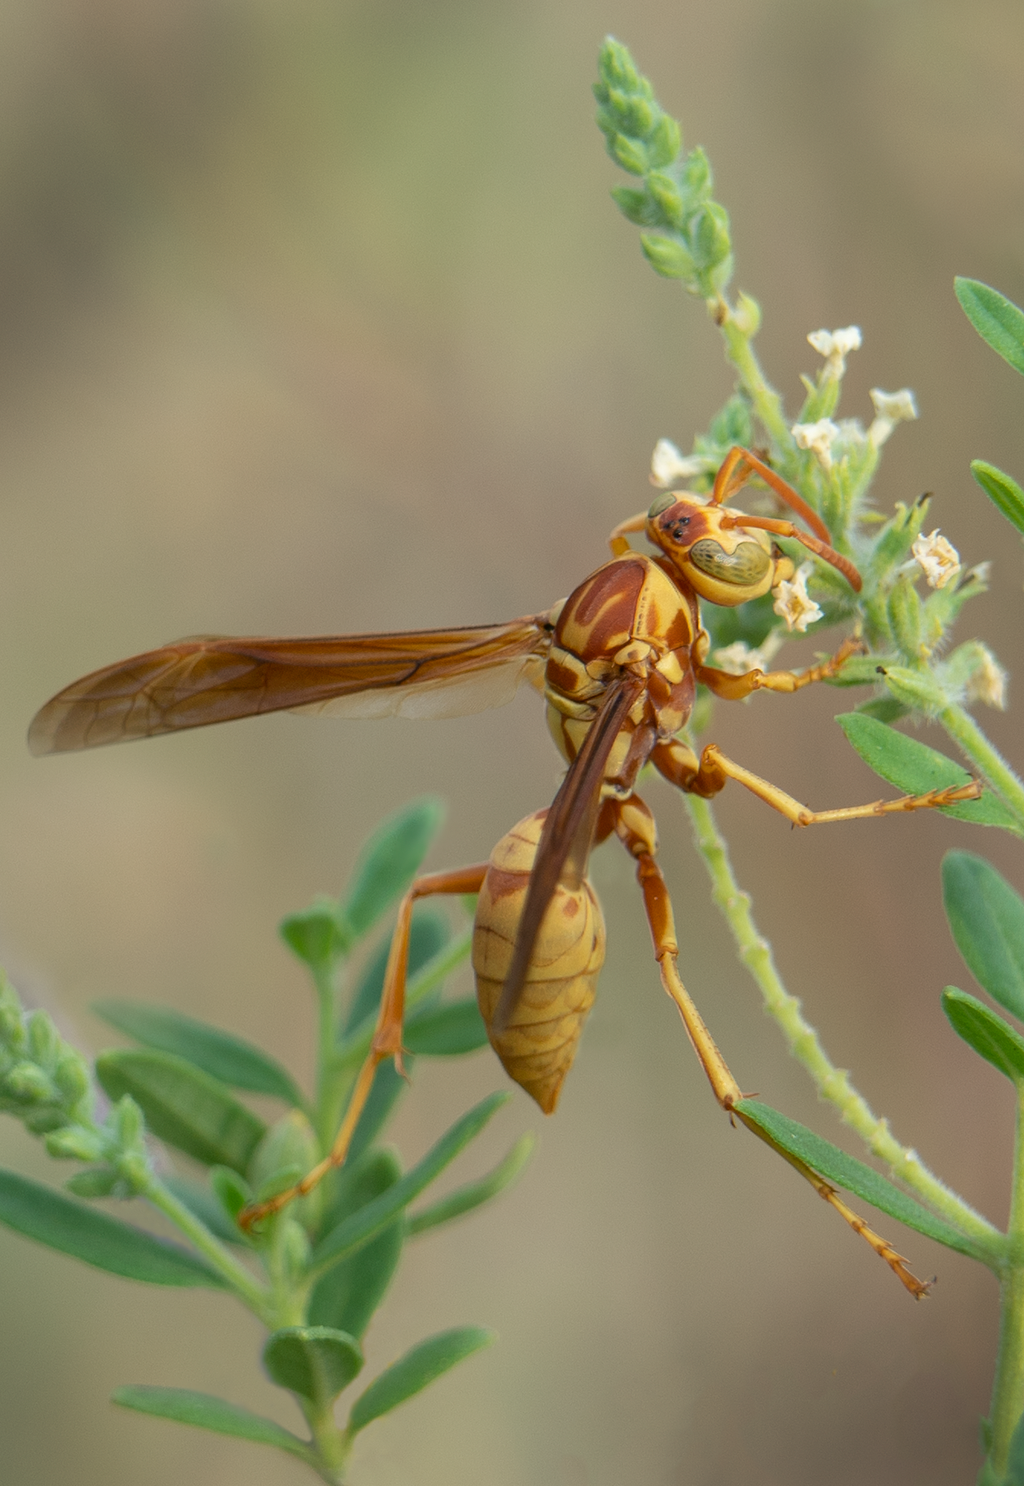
[(619, 665)]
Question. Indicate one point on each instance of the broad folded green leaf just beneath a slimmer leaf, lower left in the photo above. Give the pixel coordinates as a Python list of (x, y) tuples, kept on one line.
[(184, 1106)]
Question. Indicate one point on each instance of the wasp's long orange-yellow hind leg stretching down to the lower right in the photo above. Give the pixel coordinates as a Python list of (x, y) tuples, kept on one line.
[(635, 827)]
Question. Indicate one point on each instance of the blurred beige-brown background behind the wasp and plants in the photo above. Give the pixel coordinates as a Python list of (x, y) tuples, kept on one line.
[(319, 319)]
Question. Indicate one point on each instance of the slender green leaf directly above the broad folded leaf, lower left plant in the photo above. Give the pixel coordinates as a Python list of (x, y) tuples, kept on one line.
[(224, 1057)]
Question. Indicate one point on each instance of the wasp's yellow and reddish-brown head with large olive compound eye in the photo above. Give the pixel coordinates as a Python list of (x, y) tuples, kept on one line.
[(723, 564)]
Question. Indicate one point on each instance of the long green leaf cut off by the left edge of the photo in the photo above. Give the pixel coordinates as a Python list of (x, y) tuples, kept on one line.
[(97, 1239)]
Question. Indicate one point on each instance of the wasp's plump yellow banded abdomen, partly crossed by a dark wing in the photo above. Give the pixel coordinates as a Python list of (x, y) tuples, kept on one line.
[(540, 1041)]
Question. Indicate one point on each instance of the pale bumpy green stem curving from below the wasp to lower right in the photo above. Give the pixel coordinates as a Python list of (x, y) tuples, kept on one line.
[(833, 1084)]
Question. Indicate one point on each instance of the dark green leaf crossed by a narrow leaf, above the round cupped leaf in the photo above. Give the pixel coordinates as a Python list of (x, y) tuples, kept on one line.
[(349, 1295)]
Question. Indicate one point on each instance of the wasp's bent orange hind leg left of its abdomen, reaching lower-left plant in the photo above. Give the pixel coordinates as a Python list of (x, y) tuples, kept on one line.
[(387, 1036)]
